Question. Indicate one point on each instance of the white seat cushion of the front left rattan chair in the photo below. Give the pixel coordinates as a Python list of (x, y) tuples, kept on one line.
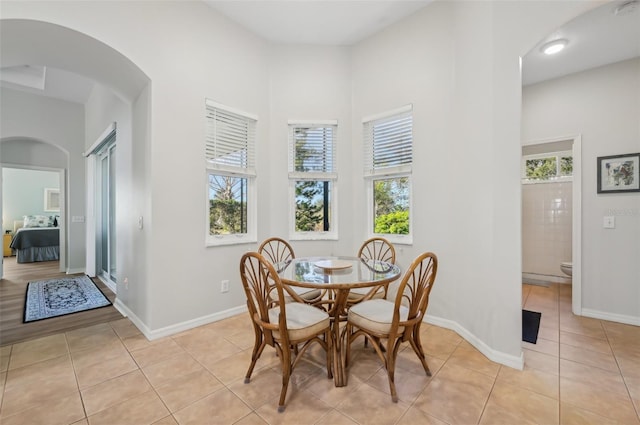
[(303, 320)]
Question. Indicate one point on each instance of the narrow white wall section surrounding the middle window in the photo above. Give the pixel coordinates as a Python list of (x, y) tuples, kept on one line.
[(309, 83)]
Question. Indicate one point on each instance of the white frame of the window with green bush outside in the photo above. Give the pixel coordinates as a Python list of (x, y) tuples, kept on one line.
[(373, 173)]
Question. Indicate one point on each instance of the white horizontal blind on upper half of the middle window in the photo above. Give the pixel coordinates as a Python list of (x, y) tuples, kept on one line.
[(311, 150)]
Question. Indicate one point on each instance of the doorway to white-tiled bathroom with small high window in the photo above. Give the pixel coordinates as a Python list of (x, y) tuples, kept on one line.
[(551, 217)]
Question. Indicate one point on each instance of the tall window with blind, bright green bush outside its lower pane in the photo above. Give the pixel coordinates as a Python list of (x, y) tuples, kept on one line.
[(388, 158)]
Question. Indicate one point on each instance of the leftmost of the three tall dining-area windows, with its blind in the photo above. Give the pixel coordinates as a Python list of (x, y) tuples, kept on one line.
[(230, 163)]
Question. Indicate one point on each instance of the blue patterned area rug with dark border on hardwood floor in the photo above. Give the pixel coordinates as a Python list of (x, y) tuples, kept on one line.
[(58, 297)]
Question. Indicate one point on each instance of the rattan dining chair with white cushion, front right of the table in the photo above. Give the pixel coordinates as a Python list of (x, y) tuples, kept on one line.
[(381, 320)]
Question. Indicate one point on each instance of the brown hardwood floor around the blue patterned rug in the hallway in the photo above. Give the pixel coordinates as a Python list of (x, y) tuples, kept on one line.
[(13, 288)]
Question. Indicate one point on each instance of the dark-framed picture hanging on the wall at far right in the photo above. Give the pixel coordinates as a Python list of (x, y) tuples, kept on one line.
[(619, 173)]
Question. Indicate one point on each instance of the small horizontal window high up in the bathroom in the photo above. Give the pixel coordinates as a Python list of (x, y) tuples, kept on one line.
[(547, 167)]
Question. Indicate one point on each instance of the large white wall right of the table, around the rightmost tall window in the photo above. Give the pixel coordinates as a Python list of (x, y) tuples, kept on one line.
[(458, 64)]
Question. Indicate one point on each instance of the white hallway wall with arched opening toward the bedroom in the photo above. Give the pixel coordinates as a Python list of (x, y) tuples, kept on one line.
[(58, 123)]
